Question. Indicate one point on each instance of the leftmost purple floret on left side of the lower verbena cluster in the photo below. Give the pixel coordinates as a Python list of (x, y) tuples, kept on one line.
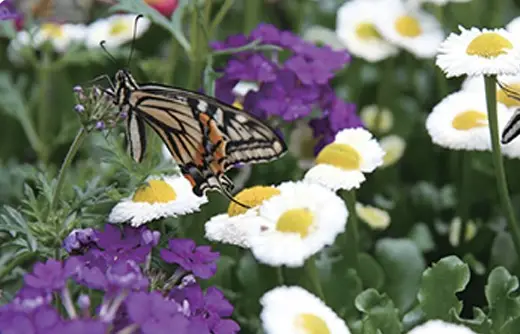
[(51, 275)]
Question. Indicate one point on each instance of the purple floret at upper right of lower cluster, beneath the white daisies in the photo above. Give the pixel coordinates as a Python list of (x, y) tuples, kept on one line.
[(201, 261)]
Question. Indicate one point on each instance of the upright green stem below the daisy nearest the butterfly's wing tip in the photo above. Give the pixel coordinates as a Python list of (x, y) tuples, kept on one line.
[(352, 232)]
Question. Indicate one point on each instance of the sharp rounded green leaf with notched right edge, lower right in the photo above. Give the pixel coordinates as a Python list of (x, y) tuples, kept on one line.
[(439, 285)]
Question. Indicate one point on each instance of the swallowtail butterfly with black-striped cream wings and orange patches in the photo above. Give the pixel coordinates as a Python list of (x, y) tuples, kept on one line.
[(205, 136)]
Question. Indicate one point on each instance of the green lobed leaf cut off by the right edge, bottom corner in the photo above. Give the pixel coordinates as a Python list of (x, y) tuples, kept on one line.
[(503, 306)]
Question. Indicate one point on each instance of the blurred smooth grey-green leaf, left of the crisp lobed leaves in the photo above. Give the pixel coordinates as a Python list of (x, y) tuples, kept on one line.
[(403, 265)]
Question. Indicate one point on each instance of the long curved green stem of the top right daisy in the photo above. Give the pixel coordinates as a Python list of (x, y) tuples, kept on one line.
[(497, 160)]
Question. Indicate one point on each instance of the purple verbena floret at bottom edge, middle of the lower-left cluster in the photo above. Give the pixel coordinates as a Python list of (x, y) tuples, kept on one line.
[(155, 314)]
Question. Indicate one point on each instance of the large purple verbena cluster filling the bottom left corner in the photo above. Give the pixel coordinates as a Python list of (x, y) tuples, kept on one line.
[(113, 267)]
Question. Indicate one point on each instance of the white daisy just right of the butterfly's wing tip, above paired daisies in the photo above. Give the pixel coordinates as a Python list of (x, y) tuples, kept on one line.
[(341, 164)]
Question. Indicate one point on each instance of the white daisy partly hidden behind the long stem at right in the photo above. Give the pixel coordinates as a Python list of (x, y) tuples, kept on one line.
[(459, 122)]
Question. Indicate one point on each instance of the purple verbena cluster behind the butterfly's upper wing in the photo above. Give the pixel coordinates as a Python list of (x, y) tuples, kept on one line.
[(290, 88)]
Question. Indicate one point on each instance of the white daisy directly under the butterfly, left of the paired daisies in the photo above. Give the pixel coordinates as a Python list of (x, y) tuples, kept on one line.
[(160, 197)]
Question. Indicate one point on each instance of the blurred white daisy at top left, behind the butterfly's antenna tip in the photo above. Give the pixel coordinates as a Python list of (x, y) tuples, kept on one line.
[(115, 30)]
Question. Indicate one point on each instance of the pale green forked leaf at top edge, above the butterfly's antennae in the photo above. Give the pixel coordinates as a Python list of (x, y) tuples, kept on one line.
[(174, 26)]
